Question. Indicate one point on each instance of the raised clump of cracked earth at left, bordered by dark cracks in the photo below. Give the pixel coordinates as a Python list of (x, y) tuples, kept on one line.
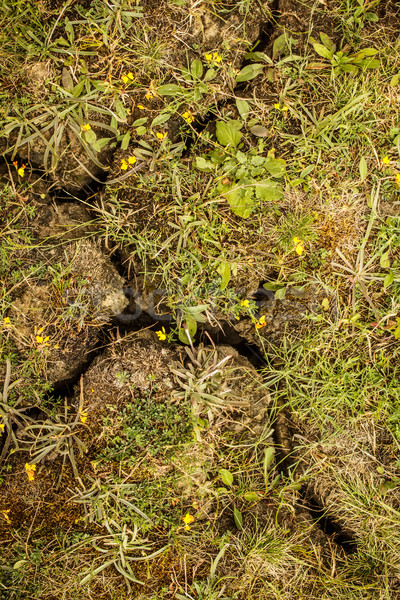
[(61, 319)]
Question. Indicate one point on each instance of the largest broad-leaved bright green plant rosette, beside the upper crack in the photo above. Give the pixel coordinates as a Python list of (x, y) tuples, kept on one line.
[(245, 179)]
